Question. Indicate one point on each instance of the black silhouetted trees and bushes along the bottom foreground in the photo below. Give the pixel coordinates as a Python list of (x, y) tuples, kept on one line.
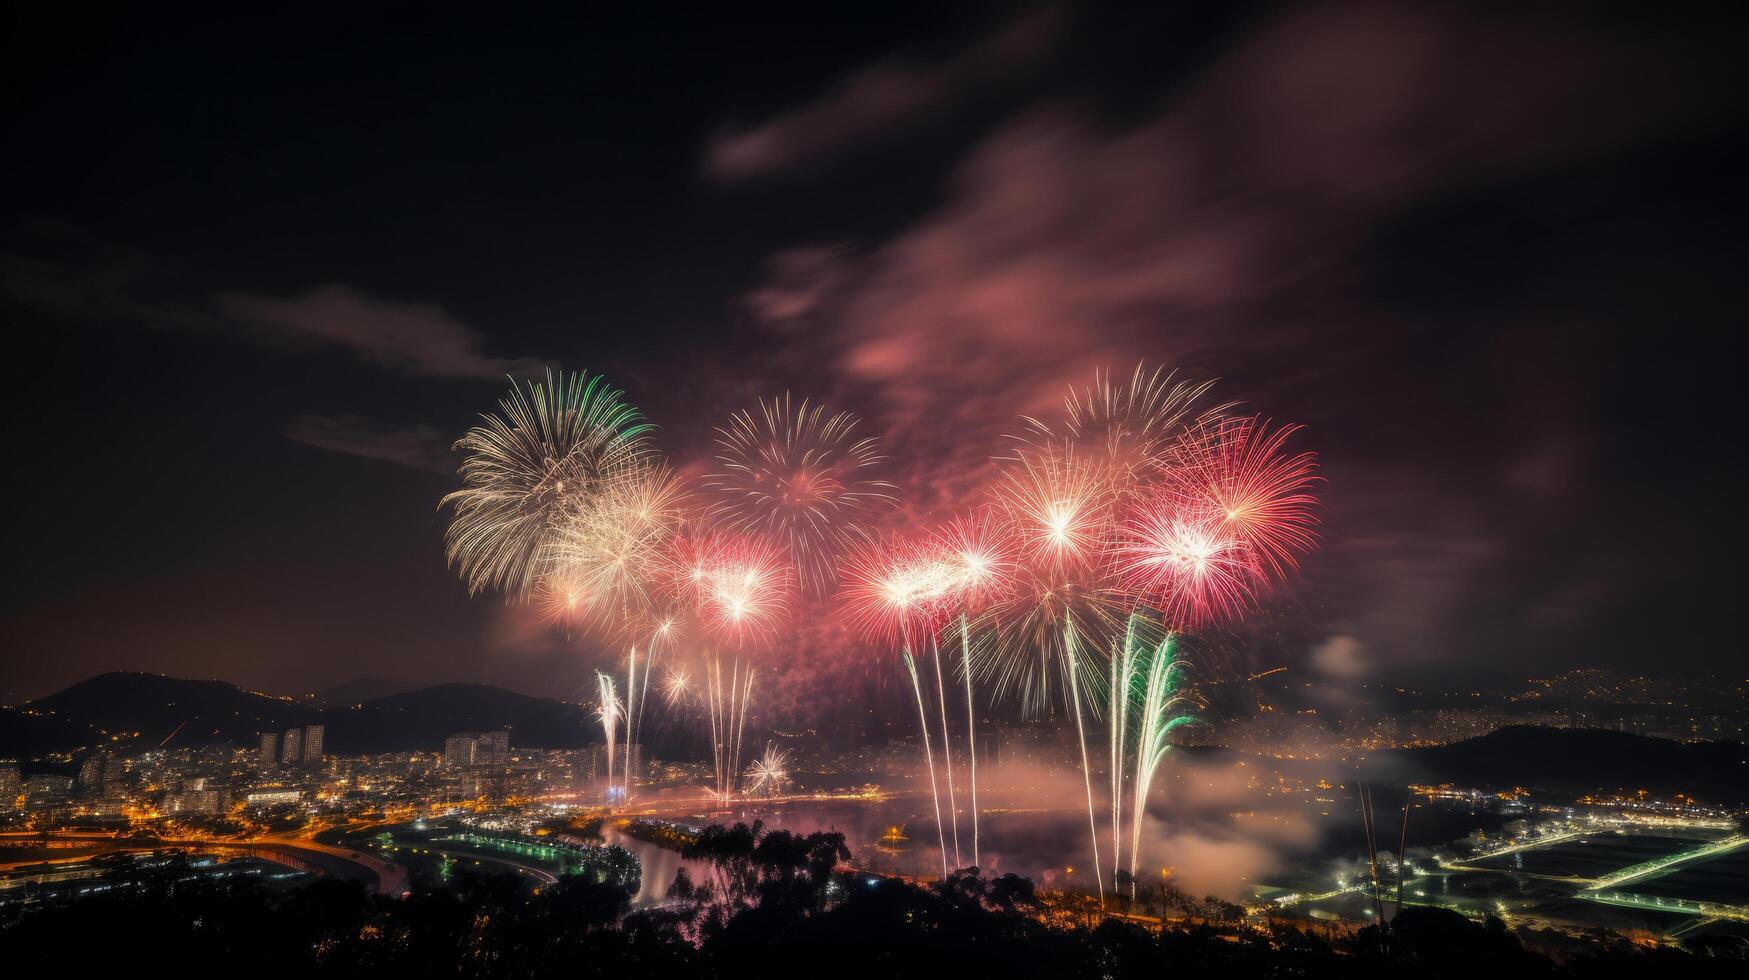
[(767, 904)]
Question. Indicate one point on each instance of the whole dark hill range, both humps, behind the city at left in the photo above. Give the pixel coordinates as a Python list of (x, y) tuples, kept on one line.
[(148, 710)]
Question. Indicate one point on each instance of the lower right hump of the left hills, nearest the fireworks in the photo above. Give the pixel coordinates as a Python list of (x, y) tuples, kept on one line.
[(421, 720)]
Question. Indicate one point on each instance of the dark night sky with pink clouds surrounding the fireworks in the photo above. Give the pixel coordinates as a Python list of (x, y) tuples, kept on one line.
[(258, 274)]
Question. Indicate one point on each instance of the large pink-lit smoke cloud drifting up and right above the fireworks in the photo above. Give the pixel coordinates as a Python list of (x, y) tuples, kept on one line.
[(1216, 235)]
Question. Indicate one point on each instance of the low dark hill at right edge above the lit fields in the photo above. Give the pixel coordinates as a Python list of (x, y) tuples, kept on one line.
[(1571, 762)]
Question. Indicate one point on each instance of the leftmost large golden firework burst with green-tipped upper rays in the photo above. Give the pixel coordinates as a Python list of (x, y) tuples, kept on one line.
[(550, 447)]
